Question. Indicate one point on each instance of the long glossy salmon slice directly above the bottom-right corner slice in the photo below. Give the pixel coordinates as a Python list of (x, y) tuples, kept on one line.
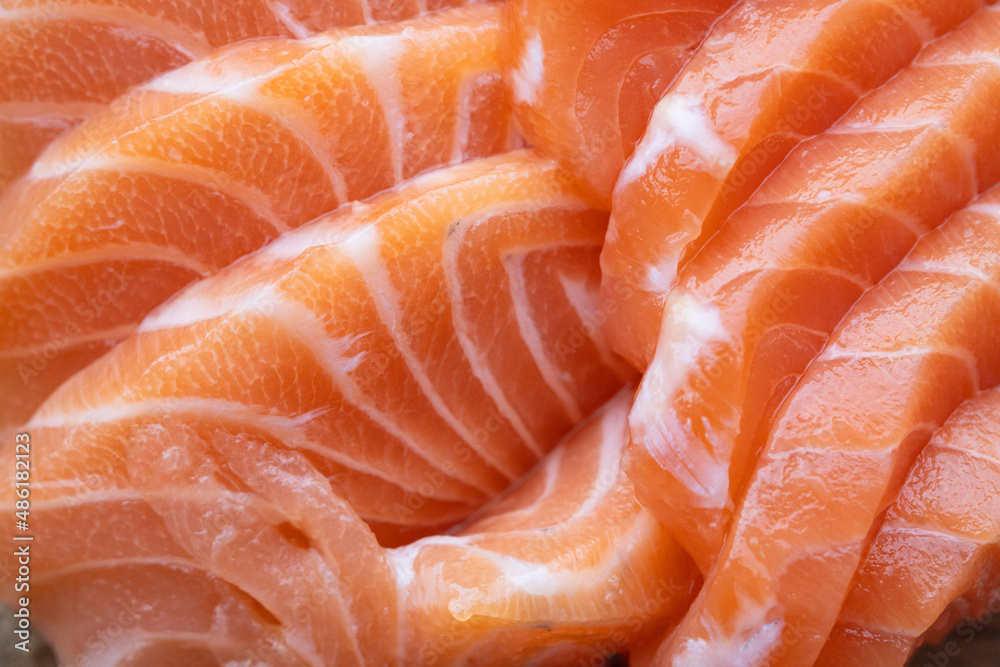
[(908, 354)]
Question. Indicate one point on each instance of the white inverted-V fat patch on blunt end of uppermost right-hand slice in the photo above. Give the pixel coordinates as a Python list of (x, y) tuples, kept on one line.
[(680, 120)]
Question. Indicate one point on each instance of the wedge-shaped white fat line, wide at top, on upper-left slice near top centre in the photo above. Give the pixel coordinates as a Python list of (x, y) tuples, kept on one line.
[(378, 57)]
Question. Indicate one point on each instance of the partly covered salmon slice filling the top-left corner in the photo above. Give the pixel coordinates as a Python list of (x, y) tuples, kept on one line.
[(64, 60)]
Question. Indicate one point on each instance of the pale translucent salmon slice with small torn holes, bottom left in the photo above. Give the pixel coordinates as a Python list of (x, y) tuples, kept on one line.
[(177, 543)]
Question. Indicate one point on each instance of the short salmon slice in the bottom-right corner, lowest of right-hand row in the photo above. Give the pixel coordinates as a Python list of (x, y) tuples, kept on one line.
[(940, 533)]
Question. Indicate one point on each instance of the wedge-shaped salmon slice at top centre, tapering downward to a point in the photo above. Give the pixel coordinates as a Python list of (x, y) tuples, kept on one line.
[(584, 75)]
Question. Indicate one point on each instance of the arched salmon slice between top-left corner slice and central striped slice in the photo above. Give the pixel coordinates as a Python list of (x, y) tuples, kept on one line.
[(212, 160)]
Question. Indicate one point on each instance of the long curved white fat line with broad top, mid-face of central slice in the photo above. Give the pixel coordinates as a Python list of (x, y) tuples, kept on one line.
[(363, 249)]
